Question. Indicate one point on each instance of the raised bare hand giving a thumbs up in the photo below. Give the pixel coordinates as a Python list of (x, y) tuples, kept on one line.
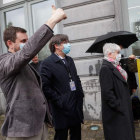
[(57, 16)]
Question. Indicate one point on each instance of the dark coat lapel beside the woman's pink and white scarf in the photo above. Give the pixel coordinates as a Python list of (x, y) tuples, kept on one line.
[(115, 71)]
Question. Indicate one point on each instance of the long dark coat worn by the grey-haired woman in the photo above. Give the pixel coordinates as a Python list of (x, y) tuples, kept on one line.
[(116, 104)]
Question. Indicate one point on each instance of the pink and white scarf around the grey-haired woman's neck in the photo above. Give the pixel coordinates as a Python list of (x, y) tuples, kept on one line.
[(118, 67)]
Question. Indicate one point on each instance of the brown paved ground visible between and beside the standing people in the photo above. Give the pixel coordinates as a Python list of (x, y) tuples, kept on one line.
[(87, 134)]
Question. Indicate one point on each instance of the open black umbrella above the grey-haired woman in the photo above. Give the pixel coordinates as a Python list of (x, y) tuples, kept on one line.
[(123, 38)]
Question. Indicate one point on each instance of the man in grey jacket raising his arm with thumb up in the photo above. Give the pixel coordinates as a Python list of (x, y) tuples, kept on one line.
[(21, 85)]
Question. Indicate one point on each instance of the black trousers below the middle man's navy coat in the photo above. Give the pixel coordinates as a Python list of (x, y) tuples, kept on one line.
[(74, 132)]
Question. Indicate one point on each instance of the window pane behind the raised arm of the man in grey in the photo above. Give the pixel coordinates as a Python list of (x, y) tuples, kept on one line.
[(40, 17)]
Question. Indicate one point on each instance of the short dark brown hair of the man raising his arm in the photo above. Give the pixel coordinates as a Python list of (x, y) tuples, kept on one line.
[(11, 34)]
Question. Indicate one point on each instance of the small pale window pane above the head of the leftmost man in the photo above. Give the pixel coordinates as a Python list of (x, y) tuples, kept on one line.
[(16, 20)]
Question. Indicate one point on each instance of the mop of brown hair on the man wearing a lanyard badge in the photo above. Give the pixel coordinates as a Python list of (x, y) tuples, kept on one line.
[(57, 39)]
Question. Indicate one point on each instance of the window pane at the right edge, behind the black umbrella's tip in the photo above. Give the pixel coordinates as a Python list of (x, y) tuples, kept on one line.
[(134, 19)]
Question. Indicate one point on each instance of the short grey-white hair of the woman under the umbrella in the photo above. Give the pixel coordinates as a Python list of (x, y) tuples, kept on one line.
[(110, 48)]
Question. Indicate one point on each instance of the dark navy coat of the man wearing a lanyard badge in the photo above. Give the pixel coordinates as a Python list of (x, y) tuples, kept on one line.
[(66, 105)]
